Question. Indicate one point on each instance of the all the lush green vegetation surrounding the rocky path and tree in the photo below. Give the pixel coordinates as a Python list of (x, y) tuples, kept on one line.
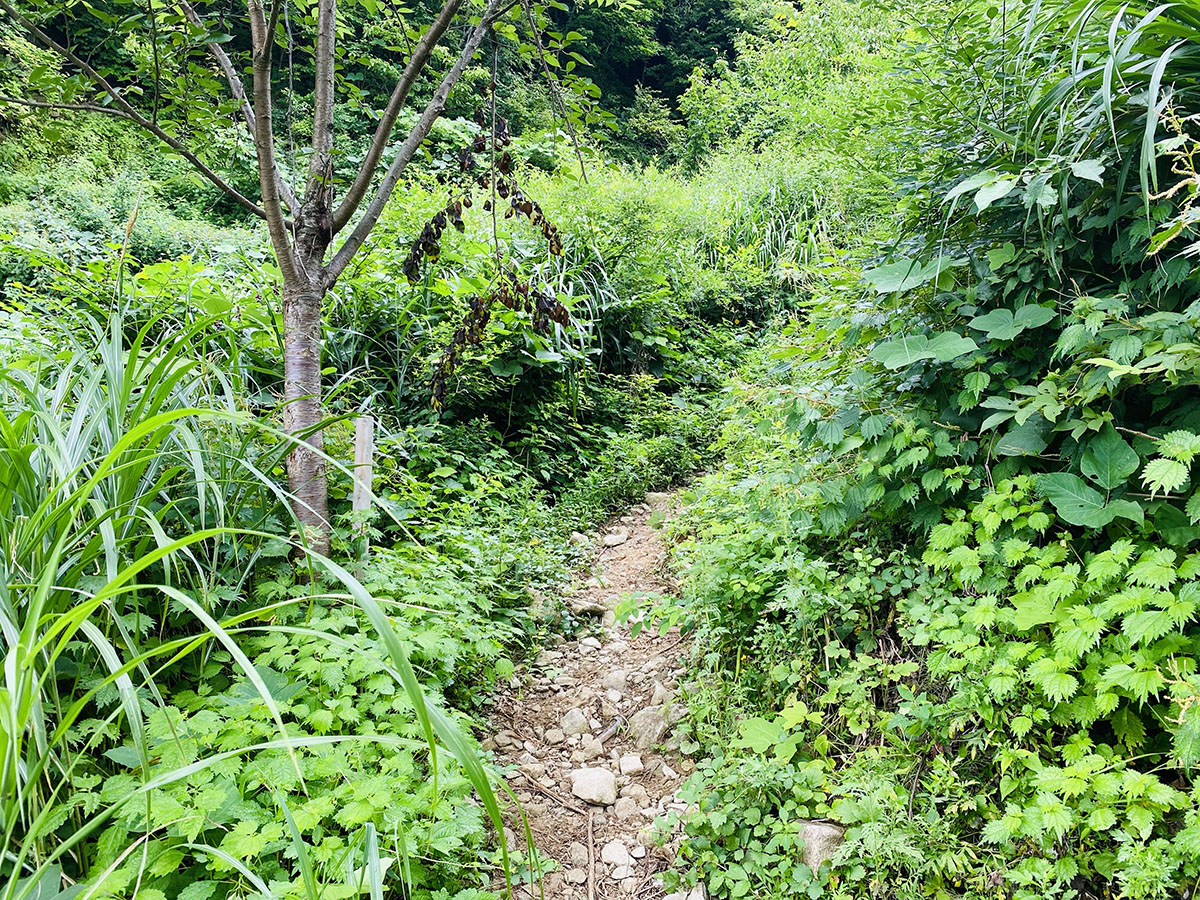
[(903, 292)]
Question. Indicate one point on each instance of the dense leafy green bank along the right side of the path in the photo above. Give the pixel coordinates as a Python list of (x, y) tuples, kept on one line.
[(947, 573)]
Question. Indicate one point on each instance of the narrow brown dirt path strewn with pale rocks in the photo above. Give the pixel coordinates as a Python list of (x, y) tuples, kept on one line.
[(587, 739)]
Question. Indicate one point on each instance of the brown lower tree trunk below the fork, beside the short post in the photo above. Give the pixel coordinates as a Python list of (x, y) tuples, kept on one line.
[(302, 411)]
